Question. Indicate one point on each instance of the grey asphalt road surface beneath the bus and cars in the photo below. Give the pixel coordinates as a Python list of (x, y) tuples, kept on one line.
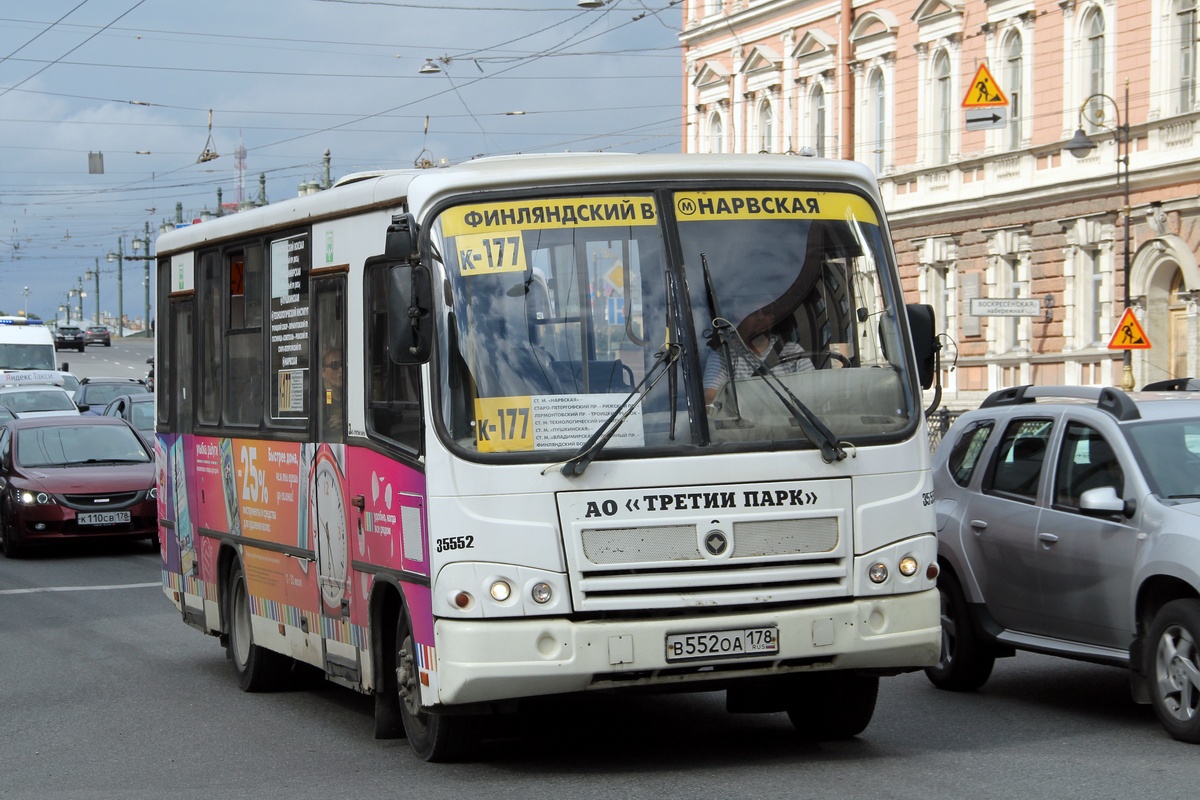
[(106, 694)]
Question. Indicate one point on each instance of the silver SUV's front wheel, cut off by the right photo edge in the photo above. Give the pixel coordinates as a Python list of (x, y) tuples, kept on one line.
[(1173, 665)]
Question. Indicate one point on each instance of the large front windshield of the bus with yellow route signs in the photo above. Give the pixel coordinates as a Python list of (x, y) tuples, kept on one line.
[(561, 309)]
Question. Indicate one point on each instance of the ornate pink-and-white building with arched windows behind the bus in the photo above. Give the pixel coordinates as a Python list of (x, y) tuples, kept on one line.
[(1005, 212)]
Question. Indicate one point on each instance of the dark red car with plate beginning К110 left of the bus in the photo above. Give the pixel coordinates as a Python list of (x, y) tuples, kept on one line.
[(74, 478)]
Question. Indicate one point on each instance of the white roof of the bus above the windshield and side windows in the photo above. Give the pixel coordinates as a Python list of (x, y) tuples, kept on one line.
[(423, 188)]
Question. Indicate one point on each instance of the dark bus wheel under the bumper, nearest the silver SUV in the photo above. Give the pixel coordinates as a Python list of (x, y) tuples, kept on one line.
[(832, 705)]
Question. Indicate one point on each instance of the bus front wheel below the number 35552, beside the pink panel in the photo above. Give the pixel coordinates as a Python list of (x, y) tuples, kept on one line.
[(433, 737)]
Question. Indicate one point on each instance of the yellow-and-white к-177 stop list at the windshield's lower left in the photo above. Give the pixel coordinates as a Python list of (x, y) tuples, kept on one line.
[(549, 423)]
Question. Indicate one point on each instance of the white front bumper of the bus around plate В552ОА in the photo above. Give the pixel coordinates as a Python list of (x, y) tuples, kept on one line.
[(493, 660)]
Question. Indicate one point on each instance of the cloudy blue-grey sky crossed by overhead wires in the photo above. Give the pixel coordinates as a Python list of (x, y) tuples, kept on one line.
[(153, 86)]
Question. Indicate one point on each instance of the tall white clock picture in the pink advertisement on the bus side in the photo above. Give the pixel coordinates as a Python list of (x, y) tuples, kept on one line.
[(328, 530)]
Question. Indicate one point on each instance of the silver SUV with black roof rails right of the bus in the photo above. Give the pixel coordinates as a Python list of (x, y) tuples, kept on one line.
[(1070, 525)]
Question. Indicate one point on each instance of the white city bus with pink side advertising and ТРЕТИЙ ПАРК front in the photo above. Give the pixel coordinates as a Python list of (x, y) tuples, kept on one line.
[(460, 437)]
